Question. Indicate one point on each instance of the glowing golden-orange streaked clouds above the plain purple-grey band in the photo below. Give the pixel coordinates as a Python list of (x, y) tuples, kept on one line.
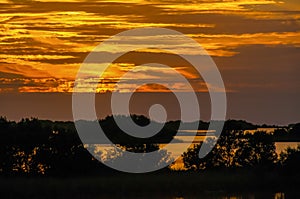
[(43, 43)]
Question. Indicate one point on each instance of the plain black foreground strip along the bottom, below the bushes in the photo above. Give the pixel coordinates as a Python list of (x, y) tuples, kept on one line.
[(156, 185)]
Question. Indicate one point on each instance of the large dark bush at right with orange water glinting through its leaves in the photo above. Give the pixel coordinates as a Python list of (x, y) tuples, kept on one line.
[(233, 150)]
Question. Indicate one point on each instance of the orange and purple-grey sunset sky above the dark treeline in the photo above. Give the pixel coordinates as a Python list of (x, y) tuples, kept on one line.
[(254, 43)]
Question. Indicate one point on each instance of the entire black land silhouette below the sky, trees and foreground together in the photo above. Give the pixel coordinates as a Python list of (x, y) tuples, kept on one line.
[(40, 157)]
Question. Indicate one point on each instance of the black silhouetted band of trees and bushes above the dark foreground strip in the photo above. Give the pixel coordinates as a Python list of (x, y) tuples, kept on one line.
[(42, 147)]
